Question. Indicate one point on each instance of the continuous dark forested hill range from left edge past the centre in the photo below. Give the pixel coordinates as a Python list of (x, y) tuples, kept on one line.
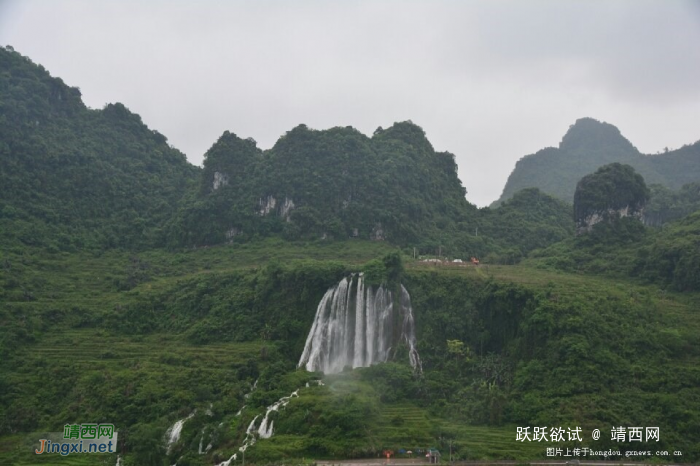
[(76, 178)]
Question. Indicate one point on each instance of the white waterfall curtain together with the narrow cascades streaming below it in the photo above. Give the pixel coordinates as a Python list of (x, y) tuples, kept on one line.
[(356, 325)]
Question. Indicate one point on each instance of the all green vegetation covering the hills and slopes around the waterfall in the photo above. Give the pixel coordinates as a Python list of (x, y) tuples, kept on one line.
[(139, 290)]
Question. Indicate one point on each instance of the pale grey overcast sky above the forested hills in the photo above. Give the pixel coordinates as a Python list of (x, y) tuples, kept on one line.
[(489, 81)]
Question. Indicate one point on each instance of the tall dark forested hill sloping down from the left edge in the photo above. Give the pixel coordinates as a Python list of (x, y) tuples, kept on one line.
[(74, 177)]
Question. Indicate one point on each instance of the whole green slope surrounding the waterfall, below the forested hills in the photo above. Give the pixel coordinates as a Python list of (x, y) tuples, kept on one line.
[(69, 360)]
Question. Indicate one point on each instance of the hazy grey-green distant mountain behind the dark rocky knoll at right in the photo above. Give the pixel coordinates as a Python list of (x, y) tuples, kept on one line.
[(590, 144)]
